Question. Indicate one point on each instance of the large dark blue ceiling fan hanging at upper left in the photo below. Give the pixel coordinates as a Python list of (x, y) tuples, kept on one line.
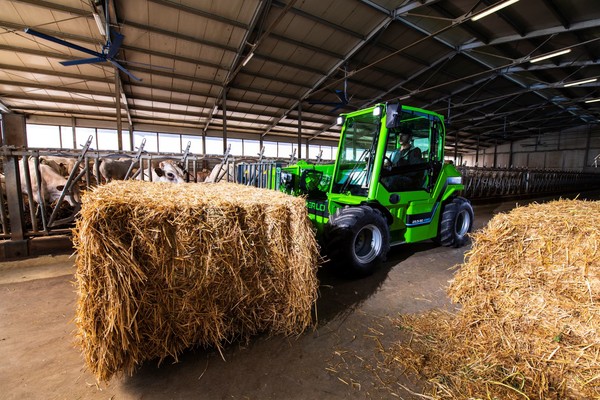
[(109, 51)]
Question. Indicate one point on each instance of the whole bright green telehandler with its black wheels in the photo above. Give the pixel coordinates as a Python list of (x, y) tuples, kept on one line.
[(389, 185)]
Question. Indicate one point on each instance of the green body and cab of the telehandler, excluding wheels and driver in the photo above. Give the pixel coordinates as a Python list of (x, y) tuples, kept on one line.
[(360, 175)]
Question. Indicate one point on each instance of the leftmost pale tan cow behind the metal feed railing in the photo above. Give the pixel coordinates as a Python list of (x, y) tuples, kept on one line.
[(51, 187)]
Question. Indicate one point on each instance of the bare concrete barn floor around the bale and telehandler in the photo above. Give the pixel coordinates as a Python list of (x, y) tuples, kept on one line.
[(333, 361)]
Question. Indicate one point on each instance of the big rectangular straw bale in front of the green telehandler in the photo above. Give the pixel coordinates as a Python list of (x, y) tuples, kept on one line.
[(163, 267)]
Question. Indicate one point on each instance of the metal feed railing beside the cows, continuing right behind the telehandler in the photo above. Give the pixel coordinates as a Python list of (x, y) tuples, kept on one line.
[(26, 211)]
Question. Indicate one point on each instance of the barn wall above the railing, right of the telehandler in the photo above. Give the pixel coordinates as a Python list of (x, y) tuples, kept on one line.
[(572, 150)]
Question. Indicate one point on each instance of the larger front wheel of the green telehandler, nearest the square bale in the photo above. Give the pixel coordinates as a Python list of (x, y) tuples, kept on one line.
[(357, 240)]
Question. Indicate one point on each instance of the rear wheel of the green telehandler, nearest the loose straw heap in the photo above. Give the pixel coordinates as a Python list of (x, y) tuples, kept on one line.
[(456, 223)]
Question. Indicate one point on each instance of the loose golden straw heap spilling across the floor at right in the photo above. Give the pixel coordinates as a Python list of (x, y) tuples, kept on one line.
[(529, 326)]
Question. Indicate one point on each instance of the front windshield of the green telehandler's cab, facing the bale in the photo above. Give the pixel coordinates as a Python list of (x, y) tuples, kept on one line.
[(356, 155)]
